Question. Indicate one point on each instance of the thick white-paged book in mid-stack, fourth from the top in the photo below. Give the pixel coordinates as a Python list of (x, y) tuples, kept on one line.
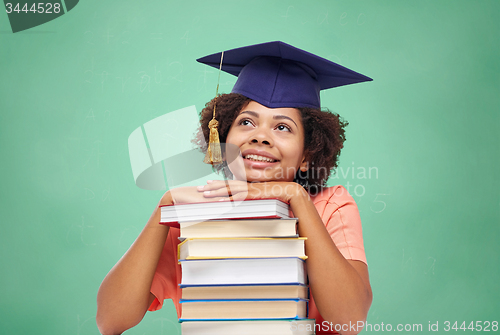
[(243, 271)]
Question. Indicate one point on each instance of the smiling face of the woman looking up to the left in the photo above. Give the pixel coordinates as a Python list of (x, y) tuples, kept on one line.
[(271, 141)]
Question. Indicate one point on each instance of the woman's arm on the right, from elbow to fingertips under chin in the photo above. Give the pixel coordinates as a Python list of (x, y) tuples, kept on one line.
[(340, 287)]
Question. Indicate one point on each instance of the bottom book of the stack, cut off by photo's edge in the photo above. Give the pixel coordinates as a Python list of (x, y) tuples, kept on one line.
[(247, 327)]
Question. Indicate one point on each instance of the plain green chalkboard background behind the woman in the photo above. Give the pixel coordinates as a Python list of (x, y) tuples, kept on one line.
[(421, 157)]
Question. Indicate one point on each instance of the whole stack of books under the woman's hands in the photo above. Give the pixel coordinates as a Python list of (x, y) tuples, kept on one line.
[(243, 268)]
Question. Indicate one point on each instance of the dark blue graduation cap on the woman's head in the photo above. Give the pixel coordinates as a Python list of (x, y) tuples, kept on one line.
[(276, 74)]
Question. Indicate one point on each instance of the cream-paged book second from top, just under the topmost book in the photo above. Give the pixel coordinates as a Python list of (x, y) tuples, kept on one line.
[(239, 228)]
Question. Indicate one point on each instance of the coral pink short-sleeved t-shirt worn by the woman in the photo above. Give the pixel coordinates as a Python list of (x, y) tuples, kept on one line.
[(339, 213)]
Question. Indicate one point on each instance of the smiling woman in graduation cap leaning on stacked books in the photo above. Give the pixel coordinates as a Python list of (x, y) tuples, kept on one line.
[(288, 148)]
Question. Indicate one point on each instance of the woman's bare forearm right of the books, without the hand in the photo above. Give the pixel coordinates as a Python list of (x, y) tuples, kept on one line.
[(340, 287)]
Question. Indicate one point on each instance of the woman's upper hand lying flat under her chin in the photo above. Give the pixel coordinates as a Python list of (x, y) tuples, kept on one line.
[(240, 190)]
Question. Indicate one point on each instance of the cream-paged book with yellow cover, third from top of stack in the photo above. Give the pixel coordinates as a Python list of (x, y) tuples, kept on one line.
[(210, 248)]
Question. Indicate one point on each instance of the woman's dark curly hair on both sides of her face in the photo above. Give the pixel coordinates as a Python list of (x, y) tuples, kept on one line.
[(324, 137)]
